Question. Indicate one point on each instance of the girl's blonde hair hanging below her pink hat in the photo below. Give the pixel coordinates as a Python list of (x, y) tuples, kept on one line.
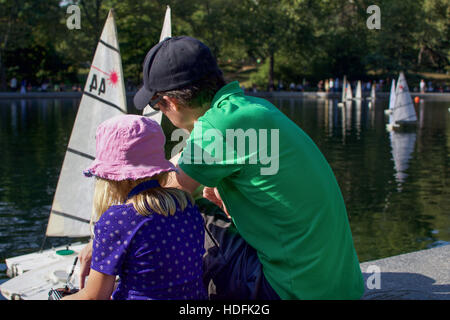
[(160, 200)]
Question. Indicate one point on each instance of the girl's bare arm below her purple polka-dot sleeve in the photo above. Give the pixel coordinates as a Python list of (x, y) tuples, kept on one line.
[(99, 286)]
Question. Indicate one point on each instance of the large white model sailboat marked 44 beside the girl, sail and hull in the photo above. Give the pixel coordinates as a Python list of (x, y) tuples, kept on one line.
[(103, 97)]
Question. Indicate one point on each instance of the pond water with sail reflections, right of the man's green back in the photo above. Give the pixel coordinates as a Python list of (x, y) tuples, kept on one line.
[(394, 184)]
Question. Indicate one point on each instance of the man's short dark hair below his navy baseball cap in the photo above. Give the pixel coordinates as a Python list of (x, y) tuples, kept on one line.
[(198, 94)]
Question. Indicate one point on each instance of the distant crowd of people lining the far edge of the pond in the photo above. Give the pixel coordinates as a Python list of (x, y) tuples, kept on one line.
[(326, 85)]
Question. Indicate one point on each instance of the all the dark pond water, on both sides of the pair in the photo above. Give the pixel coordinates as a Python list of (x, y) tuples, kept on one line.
[(395, 204)]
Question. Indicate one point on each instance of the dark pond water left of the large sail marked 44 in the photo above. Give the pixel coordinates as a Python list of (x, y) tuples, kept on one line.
[(33, 139)]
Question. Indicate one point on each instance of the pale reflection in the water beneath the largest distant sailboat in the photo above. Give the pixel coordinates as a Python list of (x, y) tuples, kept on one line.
[(402, 144)]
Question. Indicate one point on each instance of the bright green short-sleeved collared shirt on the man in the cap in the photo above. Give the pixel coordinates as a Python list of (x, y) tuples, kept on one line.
[(281, 193)]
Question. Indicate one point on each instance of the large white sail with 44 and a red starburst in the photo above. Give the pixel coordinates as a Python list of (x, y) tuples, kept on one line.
[(103, 97)]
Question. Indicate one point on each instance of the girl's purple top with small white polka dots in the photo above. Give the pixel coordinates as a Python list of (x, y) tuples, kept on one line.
[(155, 257)]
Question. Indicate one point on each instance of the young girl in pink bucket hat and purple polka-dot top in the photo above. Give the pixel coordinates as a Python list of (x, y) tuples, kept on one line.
[(149, 236)]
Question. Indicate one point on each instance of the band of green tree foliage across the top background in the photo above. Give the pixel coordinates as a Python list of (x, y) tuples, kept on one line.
[(288, 40)]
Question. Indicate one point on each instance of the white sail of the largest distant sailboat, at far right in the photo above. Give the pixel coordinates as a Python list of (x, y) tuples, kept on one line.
[(404, 108)]
